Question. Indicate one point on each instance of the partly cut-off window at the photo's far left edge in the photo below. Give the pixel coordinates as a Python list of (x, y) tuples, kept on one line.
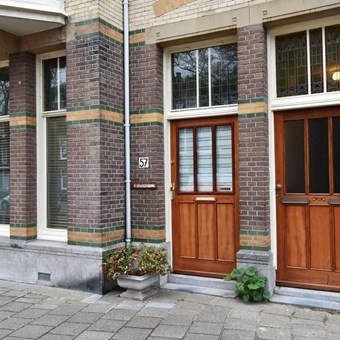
[(4, 146)]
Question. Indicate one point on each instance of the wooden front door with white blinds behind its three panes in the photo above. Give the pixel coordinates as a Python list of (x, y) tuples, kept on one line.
[(205, 227)]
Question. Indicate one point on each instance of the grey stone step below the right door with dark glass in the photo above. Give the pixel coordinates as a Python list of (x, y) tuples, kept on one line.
[(307, 298)]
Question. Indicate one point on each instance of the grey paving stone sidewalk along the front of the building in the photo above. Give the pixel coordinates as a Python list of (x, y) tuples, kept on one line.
[(38, 312)]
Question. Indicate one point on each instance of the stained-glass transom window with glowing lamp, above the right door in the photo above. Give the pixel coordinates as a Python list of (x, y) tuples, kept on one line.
[(308, 62)]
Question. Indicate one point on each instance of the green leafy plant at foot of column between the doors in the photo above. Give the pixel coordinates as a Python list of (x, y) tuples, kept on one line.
[(249, 286)]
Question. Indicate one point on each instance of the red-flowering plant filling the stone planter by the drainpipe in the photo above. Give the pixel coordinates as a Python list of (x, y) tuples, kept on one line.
[(131, 260)]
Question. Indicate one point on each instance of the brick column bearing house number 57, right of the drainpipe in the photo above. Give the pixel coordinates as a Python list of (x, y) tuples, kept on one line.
[(147, 139)]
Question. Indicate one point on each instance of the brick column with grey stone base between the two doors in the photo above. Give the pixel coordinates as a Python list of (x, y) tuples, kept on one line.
[(253, 151)]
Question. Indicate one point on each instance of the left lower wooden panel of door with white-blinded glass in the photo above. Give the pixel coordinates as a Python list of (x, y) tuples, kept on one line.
[(187, 227)]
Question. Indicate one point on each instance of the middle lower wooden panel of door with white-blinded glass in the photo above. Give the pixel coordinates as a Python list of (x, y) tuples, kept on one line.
[(206, 231)]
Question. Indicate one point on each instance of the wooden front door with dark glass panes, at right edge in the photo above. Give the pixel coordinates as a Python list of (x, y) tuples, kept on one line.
[(307, 144)]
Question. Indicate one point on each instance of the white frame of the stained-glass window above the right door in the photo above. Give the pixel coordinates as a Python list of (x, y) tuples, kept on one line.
[(306, 100)]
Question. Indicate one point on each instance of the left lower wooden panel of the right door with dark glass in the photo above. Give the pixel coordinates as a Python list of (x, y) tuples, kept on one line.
[(296, 236)]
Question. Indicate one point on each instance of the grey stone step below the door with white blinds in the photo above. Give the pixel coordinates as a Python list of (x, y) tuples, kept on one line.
[(200, 285)]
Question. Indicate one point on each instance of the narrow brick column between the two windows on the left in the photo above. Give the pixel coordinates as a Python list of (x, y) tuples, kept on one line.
[(22, 112)]
